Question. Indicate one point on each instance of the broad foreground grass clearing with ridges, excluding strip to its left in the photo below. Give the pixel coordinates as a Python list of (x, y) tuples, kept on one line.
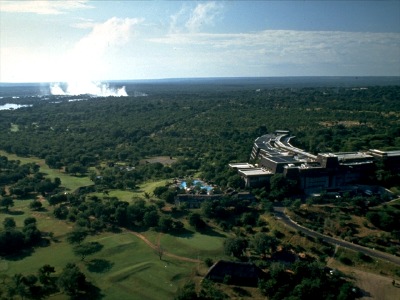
[(137, 272)]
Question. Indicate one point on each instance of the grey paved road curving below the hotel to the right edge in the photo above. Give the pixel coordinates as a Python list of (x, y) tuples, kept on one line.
[(281, 216)]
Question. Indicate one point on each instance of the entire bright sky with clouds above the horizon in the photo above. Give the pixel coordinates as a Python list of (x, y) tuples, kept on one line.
[(76, 41)]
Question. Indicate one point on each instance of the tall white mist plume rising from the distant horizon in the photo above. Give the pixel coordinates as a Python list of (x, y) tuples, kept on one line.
[(86, 63)]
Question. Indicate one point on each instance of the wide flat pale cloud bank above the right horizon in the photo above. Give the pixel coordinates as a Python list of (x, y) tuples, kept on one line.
[(320, 52)]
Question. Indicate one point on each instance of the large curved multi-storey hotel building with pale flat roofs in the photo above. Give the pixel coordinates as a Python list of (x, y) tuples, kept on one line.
[(275, 154)]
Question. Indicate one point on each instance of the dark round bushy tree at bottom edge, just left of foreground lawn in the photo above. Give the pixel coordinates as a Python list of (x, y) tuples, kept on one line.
[(72, 281)]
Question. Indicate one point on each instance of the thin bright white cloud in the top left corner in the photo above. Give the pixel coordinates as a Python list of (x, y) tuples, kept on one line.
[(43, 7)]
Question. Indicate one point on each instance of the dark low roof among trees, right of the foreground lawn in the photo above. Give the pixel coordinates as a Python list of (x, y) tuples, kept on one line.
[(245, 274)]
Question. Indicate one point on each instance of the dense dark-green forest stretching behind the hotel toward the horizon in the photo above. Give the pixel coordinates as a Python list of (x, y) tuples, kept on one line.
[(207, 128)]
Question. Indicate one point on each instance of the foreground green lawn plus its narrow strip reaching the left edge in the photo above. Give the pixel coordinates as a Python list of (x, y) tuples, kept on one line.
[(126, 268)]
